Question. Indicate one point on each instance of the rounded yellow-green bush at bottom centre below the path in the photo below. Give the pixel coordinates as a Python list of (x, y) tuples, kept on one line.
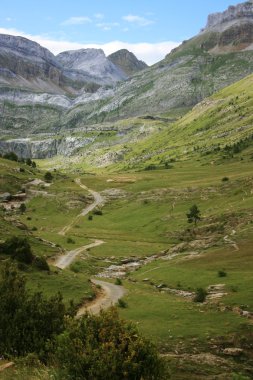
[(105, 347)]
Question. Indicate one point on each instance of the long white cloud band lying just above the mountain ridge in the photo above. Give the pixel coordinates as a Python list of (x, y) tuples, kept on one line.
[(148, 52)]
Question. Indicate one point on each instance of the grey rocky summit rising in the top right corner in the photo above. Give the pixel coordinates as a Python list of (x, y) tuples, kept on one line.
[(238, 14)]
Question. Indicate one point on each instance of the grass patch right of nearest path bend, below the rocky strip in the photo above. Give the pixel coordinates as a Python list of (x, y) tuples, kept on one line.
[(167, 319)]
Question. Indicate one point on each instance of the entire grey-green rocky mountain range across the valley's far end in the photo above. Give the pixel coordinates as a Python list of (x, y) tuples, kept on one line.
[(42, 95)]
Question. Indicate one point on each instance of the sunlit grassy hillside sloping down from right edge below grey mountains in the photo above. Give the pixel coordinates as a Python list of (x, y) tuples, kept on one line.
[(218, 128)]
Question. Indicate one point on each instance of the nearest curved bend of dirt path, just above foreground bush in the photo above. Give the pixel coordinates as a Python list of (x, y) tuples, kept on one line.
[(110, 296)]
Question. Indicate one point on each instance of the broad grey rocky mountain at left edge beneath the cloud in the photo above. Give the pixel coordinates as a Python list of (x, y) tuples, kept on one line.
[(25, 64)]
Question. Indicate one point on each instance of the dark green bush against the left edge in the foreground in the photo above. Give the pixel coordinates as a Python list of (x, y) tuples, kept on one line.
[(28, 322)]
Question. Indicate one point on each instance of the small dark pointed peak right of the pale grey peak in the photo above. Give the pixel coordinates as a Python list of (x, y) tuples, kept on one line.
[(127, 61)]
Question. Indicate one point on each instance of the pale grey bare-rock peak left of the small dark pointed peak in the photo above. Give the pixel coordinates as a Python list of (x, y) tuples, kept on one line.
[(92, 62)]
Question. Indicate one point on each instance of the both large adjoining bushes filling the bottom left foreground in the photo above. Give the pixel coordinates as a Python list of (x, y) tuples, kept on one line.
[(102, 347)]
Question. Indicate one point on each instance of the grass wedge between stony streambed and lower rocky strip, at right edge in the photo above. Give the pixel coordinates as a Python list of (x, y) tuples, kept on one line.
[(202, 271)]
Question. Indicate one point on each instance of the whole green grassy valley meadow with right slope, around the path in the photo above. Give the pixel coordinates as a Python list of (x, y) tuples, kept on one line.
[(144, 214)]
